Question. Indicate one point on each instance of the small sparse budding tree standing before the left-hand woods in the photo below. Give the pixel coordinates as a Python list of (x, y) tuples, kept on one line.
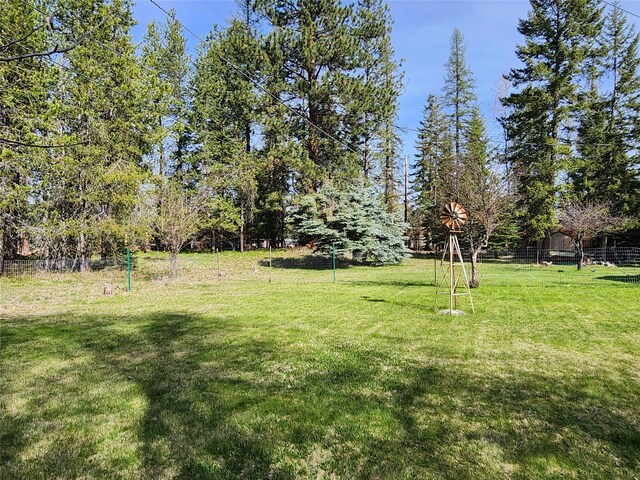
[(178, 219)]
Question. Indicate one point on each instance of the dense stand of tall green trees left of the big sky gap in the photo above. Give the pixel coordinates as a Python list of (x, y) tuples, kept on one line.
[(289, 96)]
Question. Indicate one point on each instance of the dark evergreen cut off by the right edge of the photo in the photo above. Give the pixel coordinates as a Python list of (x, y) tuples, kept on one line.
[(606, 171)]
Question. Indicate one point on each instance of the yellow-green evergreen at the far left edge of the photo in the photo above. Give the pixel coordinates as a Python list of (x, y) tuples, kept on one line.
[(25, 118)]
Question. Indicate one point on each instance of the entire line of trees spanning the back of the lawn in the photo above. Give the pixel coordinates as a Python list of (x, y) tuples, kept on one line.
[(106, 142)]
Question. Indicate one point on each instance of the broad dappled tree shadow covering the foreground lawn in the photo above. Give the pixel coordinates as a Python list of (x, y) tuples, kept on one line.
[(222, 403)]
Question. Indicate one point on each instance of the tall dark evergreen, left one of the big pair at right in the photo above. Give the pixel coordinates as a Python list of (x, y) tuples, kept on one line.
[(559, 38)]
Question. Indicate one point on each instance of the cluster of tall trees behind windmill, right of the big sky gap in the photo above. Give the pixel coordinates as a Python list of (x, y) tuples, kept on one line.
[(567, 158)]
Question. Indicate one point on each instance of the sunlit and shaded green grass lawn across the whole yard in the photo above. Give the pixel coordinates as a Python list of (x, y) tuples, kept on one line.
[(236, 377)]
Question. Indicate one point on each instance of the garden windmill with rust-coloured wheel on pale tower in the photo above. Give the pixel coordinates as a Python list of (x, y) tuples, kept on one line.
[(453, 217)]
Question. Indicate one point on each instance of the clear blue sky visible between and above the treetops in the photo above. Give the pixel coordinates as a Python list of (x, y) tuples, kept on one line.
[(421, 35)]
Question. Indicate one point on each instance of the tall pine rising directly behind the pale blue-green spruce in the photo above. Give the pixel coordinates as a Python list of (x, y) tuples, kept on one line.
[(317, 46)]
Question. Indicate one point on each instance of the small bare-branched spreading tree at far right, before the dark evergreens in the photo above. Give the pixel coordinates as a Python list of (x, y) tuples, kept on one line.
[(582, 220)]
